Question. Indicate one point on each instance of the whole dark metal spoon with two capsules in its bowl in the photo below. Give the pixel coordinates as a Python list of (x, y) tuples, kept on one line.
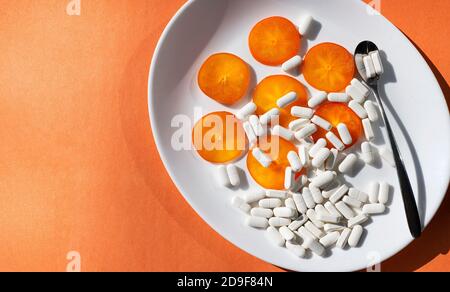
[(412, 214)]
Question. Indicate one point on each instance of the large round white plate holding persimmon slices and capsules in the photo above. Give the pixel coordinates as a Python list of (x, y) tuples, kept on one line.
[(420, 120)]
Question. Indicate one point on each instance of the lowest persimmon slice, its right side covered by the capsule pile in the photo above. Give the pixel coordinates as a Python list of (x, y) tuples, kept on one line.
[(273, 176)]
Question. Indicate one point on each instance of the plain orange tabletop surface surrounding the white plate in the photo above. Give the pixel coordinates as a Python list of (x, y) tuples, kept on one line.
[(78, 166)]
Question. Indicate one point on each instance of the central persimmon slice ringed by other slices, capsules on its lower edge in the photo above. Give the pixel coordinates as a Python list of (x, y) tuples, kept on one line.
[(269, 90)]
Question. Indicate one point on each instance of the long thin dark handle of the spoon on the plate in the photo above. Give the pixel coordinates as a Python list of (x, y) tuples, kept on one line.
[(412, 213)]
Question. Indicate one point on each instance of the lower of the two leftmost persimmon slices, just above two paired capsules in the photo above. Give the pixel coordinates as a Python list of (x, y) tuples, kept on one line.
[(219, 137)]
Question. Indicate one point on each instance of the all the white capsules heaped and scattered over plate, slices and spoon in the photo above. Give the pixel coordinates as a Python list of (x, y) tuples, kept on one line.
[(316, 211)]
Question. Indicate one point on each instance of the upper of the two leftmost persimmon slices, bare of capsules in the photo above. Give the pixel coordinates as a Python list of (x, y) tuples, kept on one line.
[(225, 78)]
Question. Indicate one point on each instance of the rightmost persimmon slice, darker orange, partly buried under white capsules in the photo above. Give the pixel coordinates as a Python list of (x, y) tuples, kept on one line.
[(337, 113)]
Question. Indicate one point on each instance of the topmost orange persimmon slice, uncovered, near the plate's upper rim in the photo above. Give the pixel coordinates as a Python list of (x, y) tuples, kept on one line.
[(274, 40)]
